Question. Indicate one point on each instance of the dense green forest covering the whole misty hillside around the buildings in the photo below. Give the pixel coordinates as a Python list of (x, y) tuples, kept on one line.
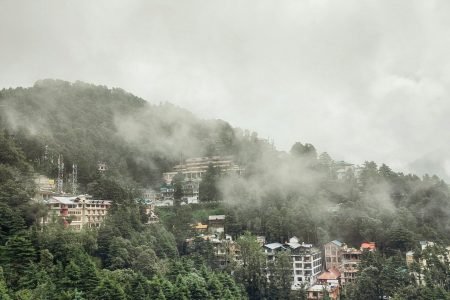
[(280, 195)]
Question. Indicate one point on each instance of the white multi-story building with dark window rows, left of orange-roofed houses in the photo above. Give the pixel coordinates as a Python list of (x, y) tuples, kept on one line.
[(306, 261)]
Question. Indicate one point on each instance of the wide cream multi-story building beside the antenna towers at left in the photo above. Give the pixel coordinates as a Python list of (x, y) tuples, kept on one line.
[(76, 212)]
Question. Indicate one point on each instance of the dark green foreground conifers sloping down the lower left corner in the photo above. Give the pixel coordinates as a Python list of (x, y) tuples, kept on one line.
[(124, 259)]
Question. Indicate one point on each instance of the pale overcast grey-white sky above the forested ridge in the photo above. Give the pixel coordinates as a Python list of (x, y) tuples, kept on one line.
[(361, 80)]
